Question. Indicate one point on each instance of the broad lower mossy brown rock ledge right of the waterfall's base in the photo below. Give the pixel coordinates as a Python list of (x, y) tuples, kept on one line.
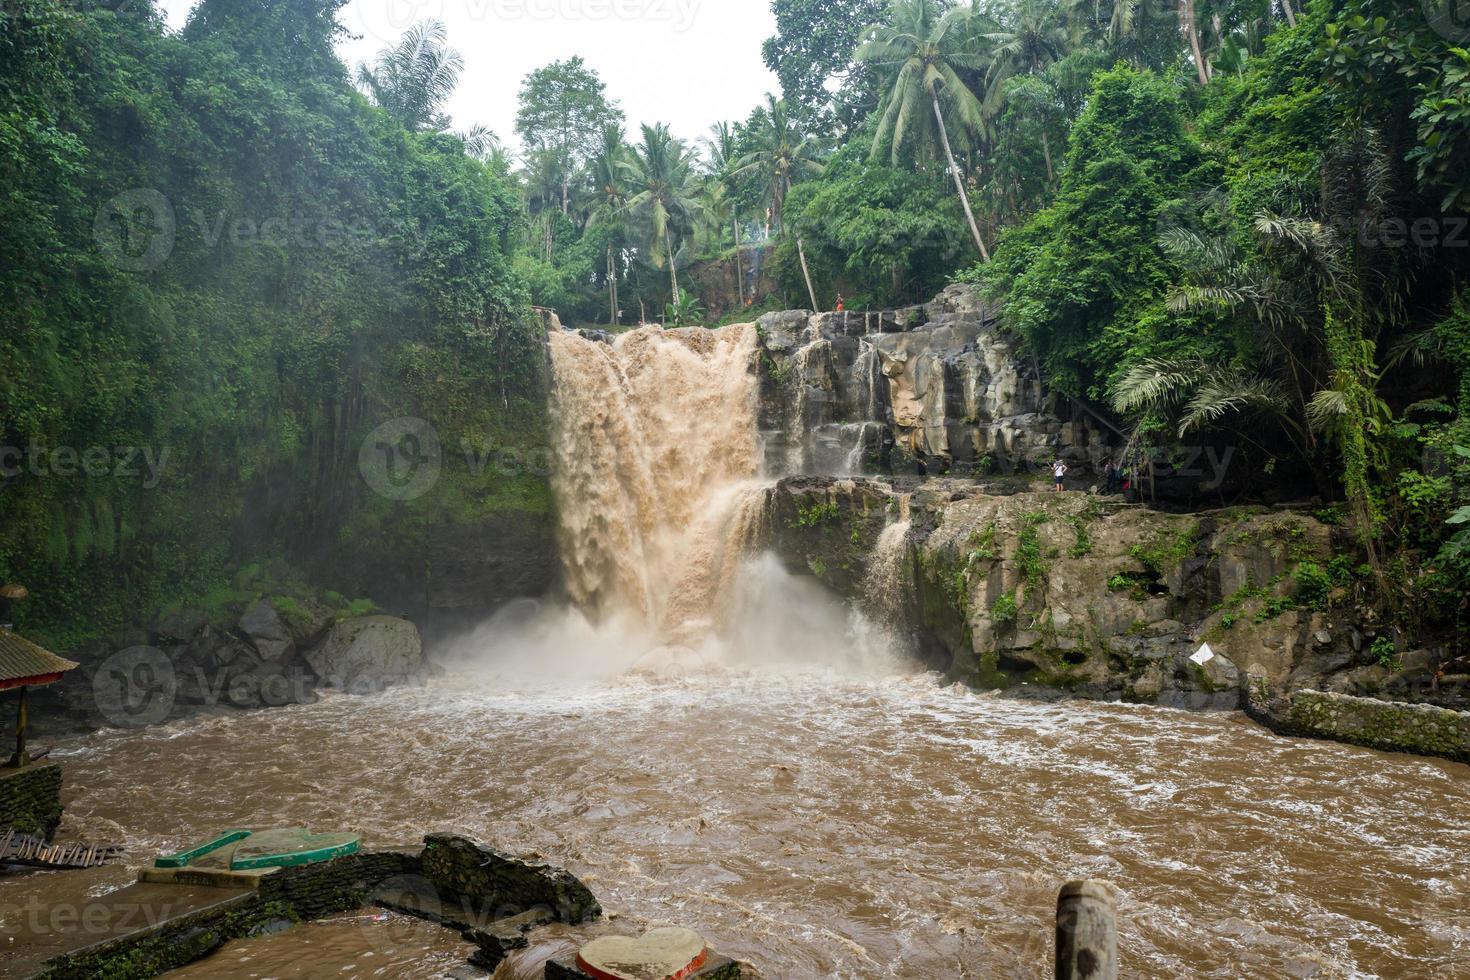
[(1083, 594)]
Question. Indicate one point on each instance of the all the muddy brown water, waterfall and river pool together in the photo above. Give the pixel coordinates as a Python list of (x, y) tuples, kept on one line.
[(734, 752)]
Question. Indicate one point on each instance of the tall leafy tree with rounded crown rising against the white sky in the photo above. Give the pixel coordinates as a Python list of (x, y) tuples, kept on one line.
[(564, 111)]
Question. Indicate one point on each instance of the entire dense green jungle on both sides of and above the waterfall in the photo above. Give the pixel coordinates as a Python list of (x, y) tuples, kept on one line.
[(1222, 223)]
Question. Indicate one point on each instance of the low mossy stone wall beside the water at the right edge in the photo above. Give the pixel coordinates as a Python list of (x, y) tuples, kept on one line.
[(1383, 725)]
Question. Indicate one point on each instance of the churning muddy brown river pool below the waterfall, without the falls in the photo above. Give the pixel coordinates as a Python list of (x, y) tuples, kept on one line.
[(827, 826)]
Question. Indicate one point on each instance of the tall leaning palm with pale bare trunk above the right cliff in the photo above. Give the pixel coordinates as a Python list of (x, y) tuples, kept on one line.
[(924, 52)]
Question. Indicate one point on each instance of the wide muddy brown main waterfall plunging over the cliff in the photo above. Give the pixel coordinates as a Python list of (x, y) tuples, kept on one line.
[(656, 450)]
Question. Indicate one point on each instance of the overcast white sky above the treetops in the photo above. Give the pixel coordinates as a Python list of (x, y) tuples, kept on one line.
[(684, 62)]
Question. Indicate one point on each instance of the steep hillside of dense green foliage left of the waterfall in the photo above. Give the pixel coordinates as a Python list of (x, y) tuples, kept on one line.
[(223, 259)]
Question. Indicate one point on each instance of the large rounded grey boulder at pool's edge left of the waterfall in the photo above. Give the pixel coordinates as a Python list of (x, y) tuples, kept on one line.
[(368, 655)]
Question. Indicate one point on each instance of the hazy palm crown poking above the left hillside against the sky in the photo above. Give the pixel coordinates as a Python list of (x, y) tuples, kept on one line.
[(415, 79)]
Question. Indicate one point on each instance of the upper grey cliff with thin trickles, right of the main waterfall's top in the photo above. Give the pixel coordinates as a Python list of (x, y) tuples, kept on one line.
[(928, 390)]
